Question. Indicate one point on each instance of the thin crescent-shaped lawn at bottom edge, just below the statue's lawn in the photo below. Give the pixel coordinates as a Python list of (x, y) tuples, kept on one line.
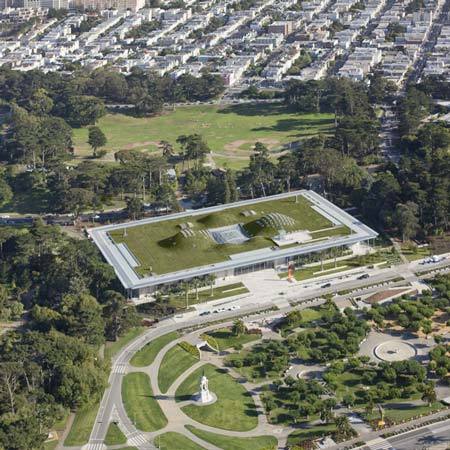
[(235, 443)]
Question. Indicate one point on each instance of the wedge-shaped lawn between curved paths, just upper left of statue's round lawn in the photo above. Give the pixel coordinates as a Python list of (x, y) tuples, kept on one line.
[(175, 362)]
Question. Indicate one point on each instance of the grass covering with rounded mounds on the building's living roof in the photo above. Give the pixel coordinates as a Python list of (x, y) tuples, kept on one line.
[(163, 247)]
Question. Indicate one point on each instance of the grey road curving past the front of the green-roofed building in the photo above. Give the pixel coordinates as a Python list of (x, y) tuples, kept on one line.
[(111, 405)]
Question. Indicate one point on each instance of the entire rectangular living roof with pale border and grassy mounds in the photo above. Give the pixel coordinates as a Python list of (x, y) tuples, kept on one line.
[(194, 243)]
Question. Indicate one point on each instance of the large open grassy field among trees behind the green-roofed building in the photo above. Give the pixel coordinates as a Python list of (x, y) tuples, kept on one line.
[(229, 131)]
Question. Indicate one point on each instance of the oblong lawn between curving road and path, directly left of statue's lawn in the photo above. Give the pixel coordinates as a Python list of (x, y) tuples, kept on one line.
[(140, 404)]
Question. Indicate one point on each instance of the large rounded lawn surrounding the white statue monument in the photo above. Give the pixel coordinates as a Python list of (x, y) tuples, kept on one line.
[(234, 408)]
